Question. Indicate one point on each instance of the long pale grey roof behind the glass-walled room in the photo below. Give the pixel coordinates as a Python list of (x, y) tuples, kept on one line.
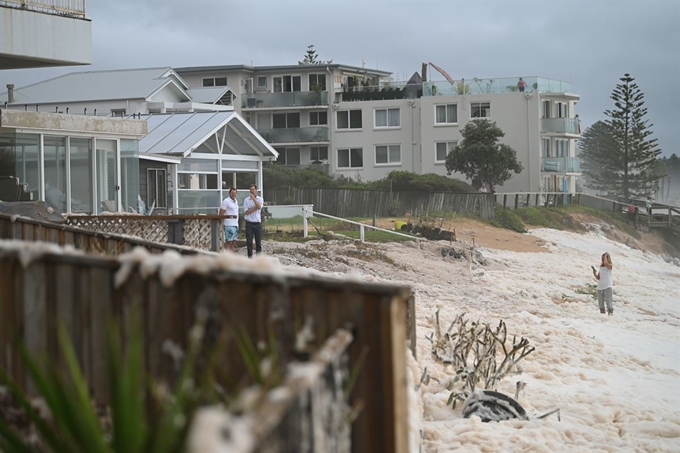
[(91, 86)]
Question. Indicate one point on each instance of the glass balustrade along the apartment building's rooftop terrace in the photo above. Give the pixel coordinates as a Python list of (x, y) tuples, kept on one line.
[(501, 85)]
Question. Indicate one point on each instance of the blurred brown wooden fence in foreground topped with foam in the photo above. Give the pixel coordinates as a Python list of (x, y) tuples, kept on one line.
[(41, 287)]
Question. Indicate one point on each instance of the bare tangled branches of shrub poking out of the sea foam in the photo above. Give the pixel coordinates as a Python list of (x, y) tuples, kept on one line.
[(473, 352)]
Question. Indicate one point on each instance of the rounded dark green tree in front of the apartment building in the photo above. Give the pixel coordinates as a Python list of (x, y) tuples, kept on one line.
[(480, 157)]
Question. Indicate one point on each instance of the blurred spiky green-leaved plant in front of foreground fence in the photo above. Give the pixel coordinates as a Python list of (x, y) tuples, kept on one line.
[(75, 425)]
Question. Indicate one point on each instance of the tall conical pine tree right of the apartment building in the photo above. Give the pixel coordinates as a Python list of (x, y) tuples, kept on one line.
[(624, 159)]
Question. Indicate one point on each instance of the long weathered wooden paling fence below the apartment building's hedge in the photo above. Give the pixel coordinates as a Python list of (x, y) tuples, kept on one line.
[(348, 203)]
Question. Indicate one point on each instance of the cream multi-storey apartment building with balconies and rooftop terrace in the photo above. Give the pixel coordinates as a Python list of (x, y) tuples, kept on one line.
[(357, 123)]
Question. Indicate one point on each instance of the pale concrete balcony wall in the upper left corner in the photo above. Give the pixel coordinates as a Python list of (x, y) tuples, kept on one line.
[(31, 39)]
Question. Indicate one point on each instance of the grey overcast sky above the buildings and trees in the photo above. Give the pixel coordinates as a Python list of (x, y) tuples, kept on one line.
[(590, 43)]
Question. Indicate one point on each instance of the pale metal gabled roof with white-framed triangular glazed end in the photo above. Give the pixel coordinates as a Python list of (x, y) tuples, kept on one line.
[(180, 134)]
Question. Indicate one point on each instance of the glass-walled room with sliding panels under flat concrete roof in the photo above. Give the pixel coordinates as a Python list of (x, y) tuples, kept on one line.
[(75, 174)]
